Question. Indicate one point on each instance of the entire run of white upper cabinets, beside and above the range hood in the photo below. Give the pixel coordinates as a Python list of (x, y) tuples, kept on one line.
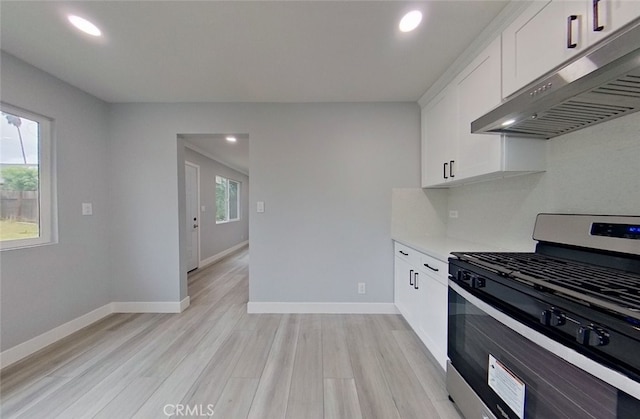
[(546, 35)]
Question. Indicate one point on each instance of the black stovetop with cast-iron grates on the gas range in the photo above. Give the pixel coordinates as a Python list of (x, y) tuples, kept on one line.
[(607, 288)]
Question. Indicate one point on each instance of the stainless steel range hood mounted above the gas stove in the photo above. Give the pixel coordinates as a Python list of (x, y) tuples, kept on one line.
[(601, 84)]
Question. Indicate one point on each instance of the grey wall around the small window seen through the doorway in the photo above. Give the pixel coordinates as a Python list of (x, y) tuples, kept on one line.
[(216, 238)]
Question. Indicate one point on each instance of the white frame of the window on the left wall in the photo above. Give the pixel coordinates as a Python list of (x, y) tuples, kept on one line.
[(47, 223)]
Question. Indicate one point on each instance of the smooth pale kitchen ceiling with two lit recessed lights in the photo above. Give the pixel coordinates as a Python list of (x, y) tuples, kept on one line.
[(245, 51)]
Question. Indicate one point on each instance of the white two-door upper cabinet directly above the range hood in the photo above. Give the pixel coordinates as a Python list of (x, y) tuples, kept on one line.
[(551, 32)]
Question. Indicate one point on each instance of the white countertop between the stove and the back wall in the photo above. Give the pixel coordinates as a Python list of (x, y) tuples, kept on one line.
[(440, 247)]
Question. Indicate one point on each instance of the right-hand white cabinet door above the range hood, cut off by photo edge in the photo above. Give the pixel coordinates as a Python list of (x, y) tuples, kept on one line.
[(607, 16)]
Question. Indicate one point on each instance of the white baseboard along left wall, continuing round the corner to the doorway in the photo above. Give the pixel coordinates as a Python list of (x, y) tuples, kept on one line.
[(23, 350)]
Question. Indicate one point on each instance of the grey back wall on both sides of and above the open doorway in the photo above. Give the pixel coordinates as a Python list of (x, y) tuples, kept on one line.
[(324, 171)]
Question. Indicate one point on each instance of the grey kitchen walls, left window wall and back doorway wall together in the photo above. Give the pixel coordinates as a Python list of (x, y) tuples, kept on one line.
[(325, 171)]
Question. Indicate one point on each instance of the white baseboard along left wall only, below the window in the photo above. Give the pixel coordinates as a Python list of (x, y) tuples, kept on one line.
[(22, 350)]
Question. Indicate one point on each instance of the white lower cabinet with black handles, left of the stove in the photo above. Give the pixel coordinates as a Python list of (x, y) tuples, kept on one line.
[(421, 297)]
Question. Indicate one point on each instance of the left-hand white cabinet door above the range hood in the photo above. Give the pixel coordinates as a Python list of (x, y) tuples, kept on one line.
[(540, 39)]
